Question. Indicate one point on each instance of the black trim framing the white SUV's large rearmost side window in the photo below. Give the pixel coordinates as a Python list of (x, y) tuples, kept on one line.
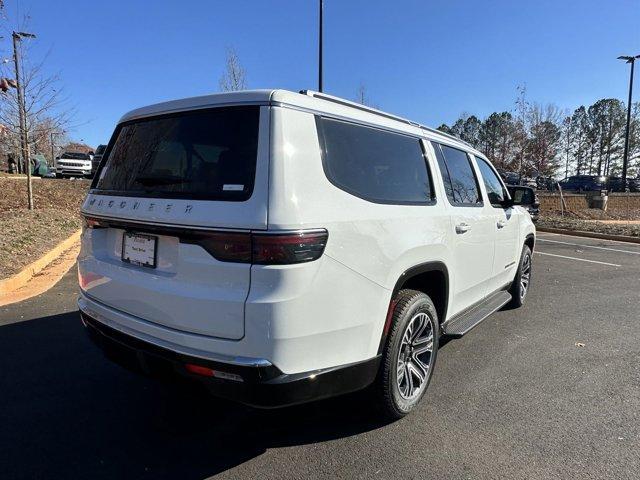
[(418, 138)]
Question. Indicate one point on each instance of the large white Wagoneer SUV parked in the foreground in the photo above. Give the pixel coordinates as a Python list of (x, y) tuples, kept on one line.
[(283, 247)]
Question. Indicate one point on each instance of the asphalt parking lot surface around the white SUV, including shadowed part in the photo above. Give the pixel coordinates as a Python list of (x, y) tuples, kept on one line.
[(551, 390)]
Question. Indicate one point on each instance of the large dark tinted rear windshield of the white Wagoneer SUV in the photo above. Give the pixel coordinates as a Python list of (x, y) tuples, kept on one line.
[(202, 154)]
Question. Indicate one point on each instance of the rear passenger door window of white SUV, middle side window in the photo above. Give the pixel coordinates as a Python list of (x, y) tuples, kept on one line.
[(460, 182)]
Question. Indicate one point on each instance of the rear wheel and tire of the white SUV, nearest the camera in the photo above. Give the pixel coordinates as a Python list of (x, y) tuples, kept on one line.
[(409, 354)]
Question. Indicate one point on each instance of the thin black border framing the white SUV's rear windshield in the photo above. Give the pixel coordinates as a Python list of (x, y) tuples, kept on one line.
[(160, 116)]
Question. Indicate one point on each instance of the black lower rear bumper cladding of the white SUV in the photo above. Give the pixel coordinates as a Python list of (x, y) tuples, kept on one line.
[(265, 387)]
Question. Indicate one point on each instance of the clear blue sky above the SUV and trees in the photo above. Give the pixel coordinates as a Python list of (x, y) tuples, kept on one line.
[(427, 60)]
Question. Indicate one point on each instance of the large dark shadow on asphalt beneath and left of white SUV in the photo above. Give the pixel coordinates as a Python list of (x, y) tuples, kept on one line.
[(67, 412)]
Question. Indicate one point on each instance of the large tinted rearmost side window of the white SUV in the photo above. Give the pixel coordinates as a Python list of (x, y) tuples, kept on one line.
[(373, 164)]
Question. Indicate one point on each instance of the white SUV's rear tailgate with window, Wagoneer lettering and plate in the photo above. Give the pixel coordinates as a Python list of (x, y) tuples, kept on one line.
[(164, 179)]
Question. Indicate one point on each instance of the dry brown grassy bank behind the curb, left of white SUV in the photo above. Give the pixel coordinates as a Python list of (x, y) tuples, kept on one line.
[(26, 235)]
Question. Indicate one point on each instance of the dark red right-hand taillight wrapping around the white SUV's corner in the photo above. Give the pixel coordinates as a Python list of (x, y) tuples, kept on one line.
[(264, 249)]
